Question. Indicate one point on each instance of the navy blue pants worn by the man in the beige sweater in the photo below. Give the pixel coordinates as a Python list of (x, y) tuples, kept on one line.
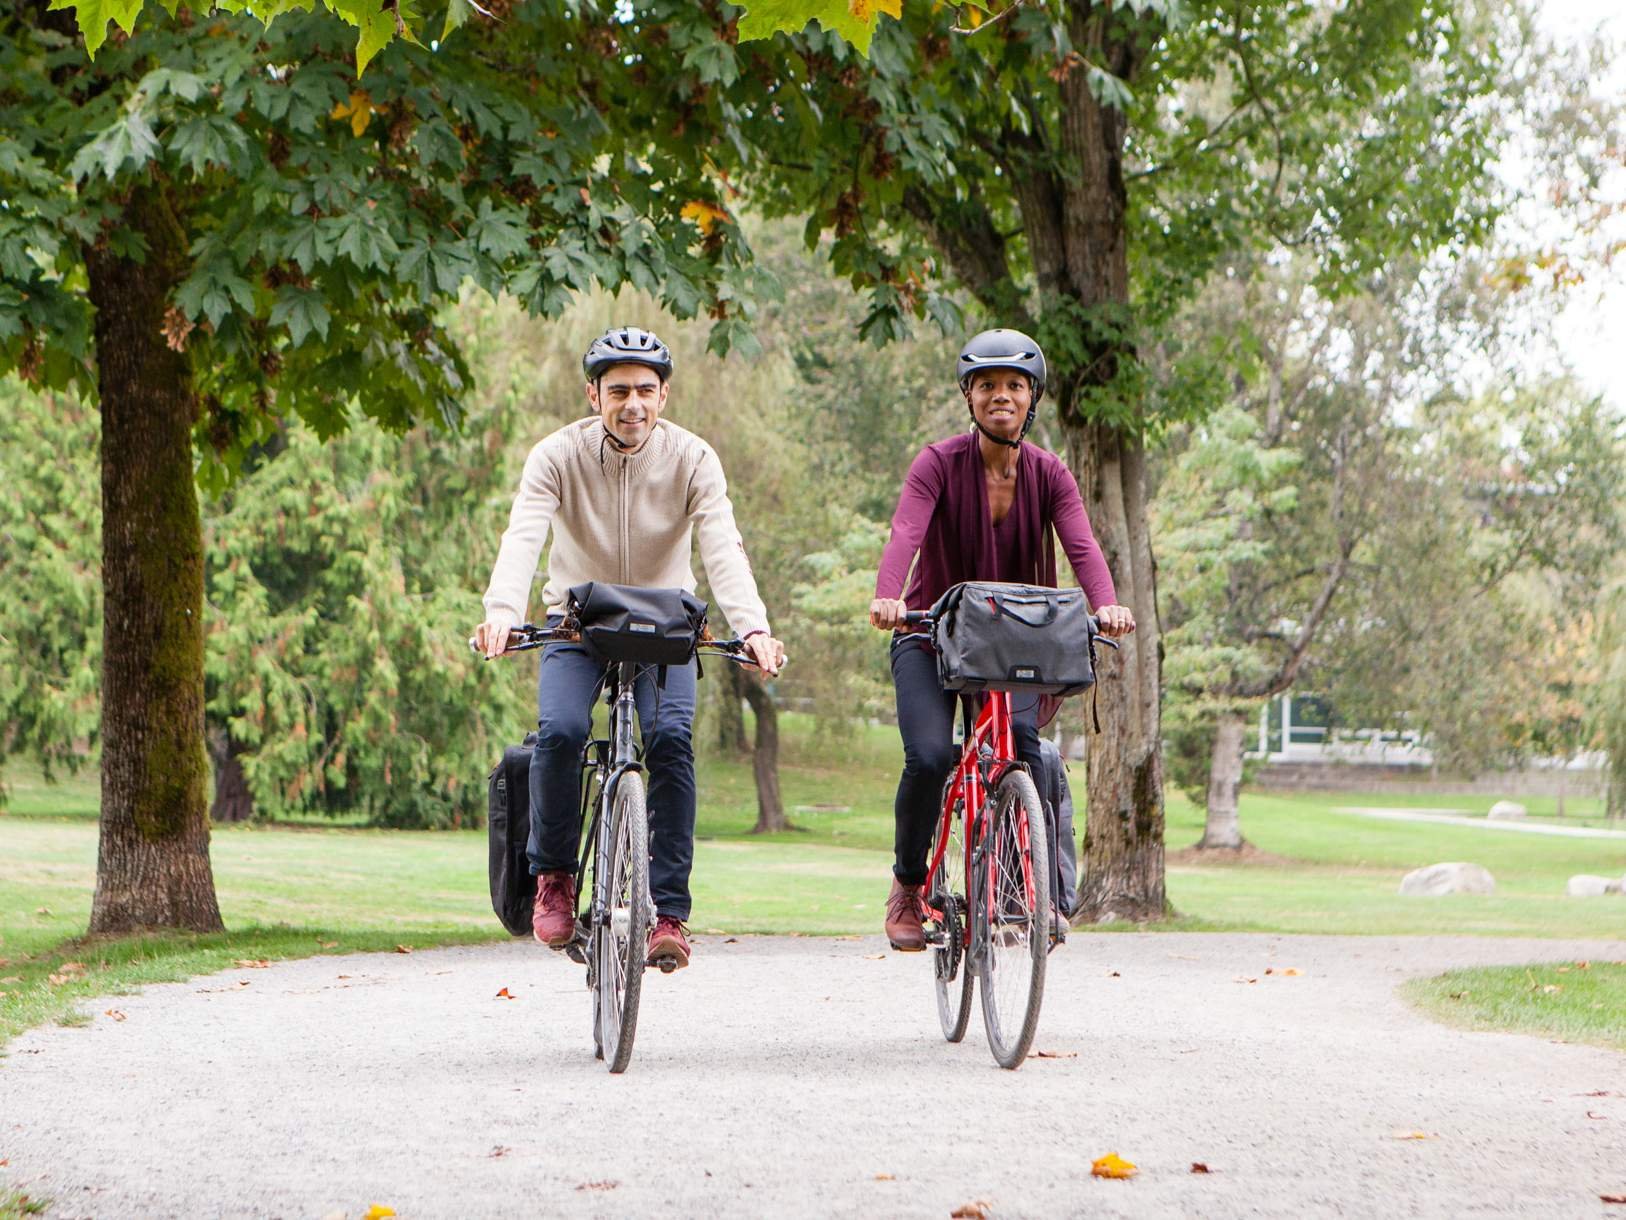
[(565, 702)]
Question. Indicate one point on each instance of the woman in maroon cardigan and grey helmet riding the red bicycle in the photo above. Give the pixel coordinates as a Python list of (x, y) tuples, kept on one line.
[(978, 507)]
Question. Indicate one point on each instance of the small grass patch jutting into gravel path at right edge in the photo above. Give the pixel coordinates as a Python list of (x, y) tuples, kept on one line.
[(1576, 1003)]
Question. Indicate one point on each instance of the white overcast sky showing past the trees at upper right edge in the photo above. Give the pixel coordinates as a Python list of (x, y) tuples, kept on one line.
[(1593, 334)]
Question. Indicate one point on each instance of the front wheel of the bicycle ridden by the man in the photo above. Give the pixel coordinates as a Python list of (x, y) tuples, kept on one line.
[(622, 913)]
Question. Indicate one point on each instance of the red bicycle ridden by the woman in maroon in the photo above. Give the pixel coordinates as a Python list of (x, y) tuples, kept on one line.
[(989, 887)]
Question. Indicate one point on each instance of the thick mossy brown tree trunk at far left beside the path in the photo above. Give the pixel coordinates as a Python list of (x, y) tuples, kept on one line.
[(154, 868)]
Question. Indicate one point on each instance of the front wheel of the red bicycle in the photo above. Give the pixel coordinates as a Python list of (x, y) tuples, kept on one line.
[(1012, 908)]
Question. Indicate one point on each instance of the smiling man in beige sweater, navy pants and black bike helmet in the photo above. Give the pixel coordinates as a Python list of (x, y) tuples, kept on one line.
[(624, 494)]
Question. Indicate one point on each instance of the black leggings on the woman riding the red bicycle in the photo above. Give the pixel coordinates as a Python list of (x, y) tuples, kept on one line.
[(926, 720)]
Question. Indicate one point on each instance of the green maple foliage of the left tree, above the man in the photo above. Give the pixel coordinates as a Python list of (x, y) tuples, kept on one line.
[(328, 222)]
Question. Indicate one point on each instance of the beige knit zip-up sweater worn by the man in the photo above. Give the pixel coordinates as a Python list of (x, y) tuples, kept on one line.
[(625, 520)]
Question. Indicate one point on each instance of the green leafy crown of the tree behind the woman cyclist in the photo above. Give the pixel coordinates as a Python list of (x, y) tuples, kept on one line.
[(1355, 136)]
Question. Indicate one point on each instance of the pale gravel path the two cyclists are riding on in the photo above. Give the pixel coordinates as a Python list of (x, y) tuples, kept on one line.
[(791, 1078)]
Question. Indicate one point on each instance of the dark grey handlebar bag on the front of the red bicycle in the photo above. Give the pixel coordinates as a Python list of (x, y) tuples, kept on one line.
[(1014, 638)]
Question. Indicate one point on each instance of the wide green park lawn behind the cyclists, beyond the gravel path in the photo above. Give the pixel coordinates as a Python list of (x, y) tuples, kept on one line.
[(297, 891)]
